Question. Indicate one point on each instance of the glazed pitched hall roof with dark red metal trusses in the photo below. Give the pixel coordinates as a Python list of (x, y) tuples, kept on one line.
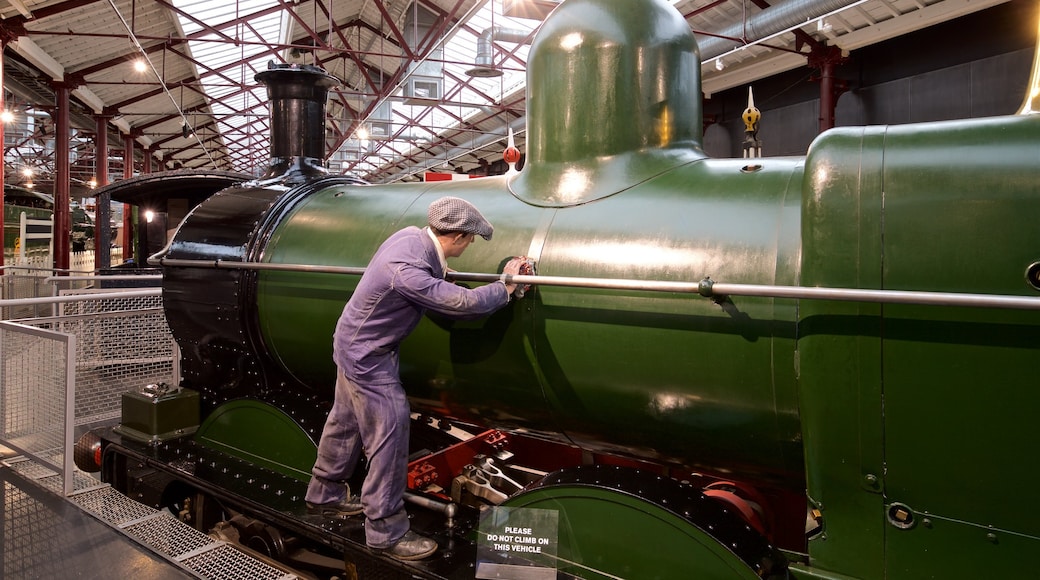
[(205, 54)]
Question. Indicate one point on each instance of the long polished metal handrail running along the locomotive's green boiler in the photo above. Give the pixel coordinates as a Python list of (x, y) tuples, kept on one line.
[(707, 287)]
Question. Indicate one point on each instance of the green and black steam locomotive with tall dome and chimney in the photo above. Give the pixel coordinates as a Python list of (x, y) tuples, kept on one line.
[(819, 367)]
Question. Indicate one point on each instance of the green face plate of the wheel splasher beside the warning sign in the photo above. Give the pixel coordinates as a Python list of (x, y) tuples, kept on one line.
[(601, 530)]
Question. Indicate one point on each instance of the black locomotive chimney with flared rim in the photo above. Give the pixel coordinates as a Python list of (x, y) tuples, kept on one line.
[(298, 97)]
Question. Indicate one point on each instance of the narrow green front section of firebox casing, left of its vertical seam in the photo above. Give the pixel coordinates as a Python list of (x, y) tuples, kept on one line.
[(840, 355)]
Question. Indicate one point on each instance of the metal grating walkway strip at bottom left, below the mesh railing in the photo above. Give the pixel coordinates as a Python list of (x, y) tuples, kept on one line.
[(157, 531)]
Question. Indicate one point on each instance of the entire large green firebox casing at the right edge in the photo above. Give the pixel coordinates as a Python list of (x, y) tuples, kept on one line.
[(937, 404)]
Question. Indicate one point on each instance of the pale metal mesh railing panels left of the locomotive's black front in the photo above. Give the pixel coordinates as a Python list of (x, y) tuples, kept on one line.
[(68, 372)]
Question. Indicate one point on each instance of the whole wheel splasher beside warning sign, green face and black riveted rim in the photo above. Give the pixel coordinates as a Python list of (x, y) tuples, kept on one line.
[(623, 523)]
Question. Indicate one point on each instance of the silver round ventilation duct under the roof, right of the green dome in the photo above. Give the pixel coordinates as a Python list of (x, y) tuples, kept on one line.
[(783, 16)]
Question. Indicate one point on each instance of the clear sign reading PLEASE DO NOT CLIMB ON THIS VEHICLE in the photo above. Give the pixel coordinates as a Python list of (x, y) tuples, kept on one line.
[(517, 543)]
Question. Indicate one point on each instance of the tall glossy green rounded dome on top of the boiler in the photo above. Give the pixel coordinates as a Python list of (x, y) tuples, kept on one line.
[(623, 134)]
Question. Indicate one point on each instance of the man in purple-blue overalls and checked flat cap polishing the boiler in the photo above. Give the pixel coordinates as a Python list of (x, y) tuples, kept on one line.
[(404, 279)]
